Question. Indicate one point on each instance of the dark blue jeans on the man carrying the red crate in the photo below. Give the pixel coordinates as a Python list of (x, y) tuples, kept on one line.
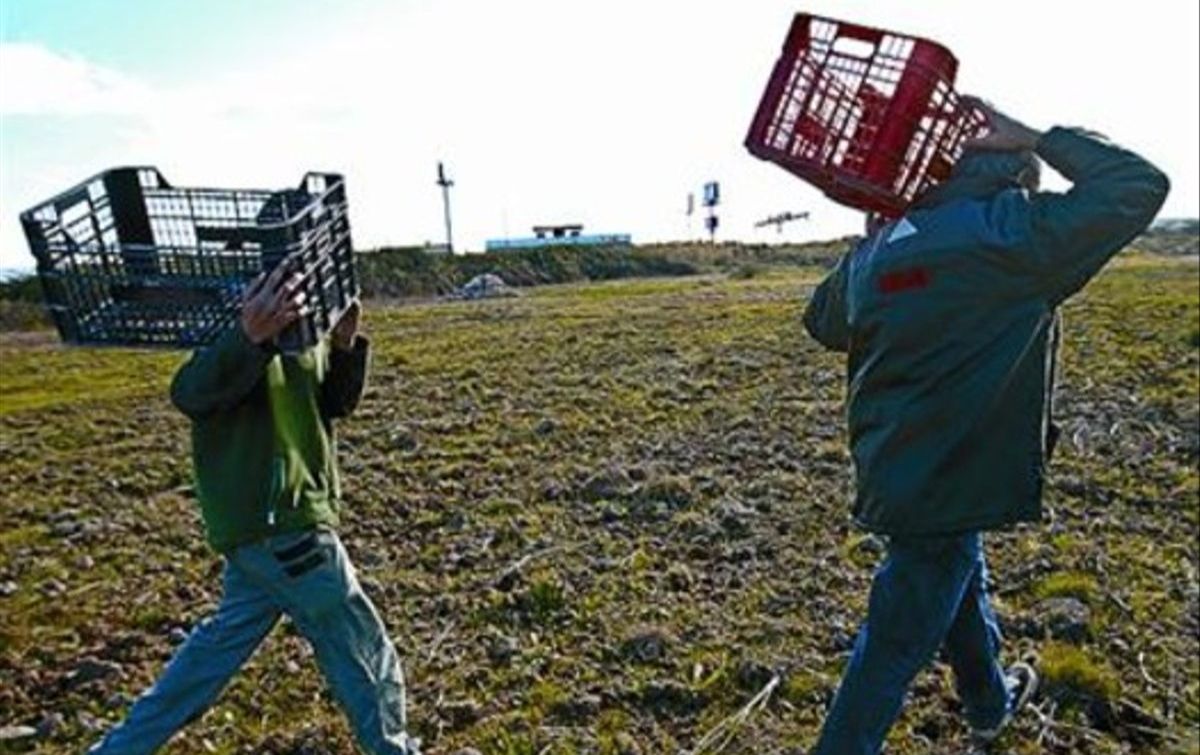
[(929, 594)]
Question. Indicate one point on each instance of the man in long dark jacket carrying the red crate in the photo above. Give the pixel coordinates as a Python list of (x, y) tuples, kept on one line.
[(949, 319)]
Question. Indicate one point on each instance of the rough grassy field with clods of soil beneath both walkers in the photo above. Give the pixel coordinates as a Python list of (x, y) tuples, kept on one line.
[(602, 519)]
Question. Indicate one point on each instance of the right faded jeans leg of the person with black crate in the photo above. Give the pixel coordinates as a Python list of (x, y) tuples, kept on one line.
[(329, 608)]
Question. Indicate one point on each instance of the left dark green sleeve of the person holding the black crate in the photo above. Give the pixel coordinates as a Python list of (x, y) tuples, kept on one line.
[(218, 377)]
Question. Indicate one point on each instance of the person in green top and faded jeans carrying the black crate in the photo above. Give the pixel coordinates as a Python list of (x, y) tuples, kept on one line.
[(267, 482)]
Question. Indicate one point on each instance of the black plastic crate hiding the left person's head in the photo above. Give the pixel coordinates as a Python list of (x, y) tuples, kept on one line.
[(128, 260)]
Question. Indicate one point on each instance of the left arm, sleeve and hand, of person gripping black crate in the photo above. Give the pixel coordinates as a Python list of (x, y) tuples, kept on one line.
[(218, 377)]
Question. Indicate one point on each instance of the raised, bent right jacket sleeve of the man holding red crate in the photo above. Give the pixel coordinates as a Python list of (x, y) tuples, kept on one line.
[(1114, 197)]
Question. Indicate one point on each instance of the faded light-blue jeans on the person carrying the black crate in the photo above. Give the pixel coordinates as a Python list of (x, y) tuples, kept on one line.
[(309, 577)]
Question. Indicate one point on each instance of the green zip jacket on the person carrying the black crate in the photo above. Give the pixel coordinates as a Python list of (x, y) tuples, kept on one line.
[(263, 444)]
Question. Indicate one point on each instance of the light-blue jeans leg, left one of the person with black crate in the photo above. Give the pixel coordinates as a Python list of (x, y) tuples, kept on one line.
[(202, 667)]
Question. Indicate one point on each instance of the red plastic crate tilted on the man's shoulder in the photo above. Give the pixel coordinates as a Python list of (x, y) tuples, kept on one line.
[(867, 116)]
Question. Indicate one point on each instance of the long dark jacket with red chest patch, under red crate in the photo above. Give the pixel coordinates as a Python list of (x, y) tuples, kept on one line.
[(949, 317)]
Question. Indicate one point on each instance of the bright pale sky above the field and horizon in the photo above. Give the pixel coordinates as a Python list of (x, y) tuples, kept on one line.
[(545, 111)]
